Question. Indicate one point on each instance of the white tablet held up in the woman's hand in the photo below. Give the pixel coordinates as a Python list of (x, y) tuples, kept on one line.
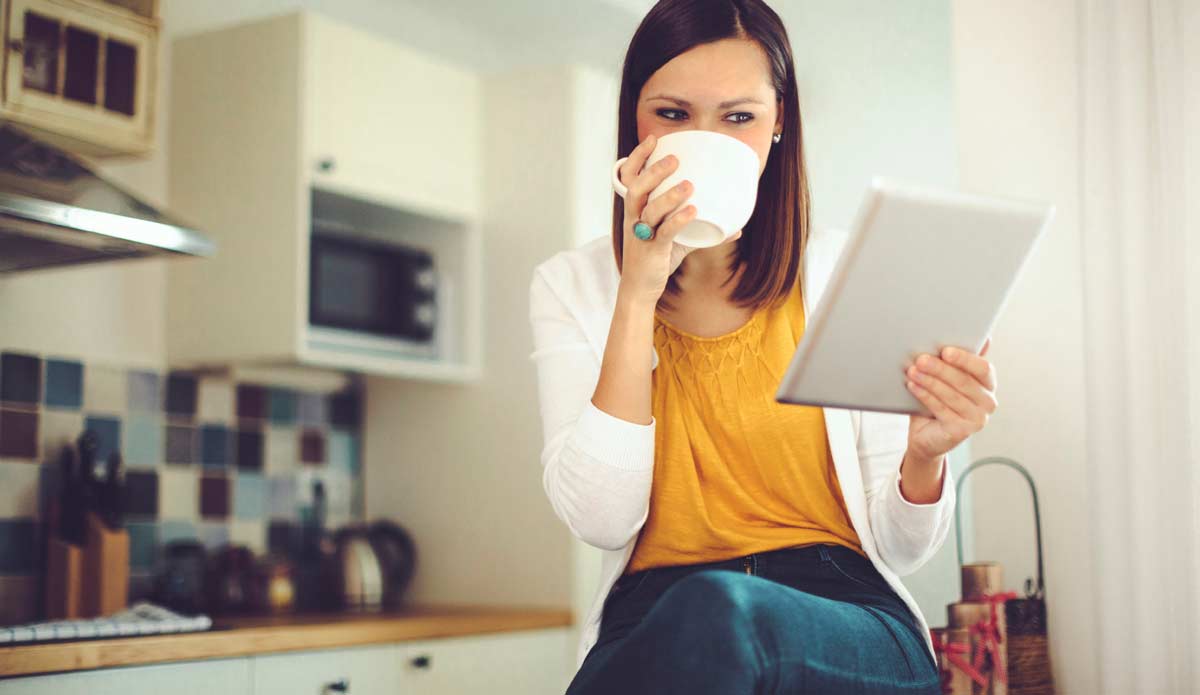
[(922, 269)]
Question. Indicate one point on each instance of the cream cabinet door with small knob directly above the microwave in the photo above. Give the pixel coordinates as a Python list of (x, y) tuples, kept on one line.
[(392, 124)]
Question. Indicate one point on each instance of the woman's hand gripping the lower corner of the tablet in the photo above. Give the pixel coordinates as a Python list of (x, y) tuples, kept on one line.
[(961, 390)]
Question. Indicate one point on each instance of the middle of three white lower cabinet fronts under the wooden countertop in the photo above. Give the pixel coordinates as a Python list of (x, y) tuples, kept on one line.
[(358, 672)]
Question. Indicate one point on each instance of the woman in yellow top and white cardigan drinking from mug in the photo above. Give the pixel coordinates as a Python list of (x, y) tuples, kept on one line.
[(749, 547)]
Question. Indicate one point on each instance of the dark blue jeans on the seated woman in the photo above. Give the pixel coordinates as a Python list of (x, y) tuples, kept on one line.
[(818, 620)]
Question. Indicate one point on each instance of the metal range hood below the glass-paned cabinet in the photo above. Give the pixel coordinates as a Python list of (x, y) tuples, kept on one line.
[(55, 211)]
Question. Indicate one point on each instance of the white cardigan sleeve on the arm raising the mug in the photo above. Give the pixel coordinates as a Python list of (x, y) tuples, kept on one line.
[(597, 469)]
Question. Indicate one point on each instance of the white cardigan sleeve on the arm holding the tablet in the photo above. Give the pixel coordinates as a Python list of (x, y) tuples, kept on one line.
[(907, 535)]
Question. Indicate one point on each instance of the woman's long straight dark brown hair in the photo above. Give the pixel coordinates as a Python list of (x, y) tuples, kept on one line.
[(773, 241)]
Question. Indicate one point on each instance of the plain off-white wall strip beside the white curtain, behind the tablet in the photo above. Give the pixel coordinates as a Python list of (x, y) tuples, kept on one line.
[(1017, 122)]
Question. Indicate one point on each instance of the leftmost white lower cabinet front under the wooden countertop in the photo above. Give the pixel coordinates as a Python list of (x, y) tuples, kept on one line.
[(209, 678)]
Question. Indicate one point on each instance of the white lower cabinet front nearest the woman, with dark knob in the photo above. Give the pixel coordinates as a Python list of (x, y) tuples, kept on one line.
[(521, 663)]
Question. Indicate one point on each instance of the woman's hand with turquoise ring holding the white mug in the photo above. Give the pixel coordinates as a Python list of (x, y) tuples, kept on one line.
[(647, 265)]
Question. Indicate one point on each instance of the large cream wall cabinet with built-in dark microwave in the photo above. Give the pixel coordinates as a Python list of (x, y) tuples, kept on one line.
[(340, 177)]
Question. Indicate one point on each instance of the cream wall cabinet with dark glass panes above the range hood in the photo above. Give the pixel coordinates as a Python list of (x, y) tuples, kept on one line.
[(82, 74)]
